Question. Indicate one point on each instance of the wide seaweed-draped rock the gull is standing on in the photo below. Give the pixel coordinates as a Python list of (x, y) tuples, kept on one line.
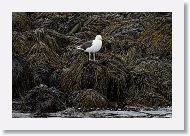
[(107, 76)]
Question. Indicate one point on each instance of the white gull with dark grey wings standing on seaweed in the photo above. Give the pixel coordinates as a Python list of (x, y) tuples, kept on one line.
[(92, 46)]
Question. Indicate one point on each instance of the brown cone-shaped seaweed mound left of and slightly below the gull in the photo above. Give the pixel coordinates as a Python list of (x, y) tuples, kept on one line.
[(43, 61)]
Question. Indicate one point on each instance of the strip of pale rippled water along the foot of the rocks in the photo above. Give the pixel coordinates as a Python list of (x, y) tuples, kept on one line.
[(131, 112)]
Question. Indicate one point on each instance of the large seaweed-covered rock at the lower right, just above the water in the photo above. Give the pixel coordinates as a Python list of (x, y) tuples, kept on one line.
[(150, 84)]
